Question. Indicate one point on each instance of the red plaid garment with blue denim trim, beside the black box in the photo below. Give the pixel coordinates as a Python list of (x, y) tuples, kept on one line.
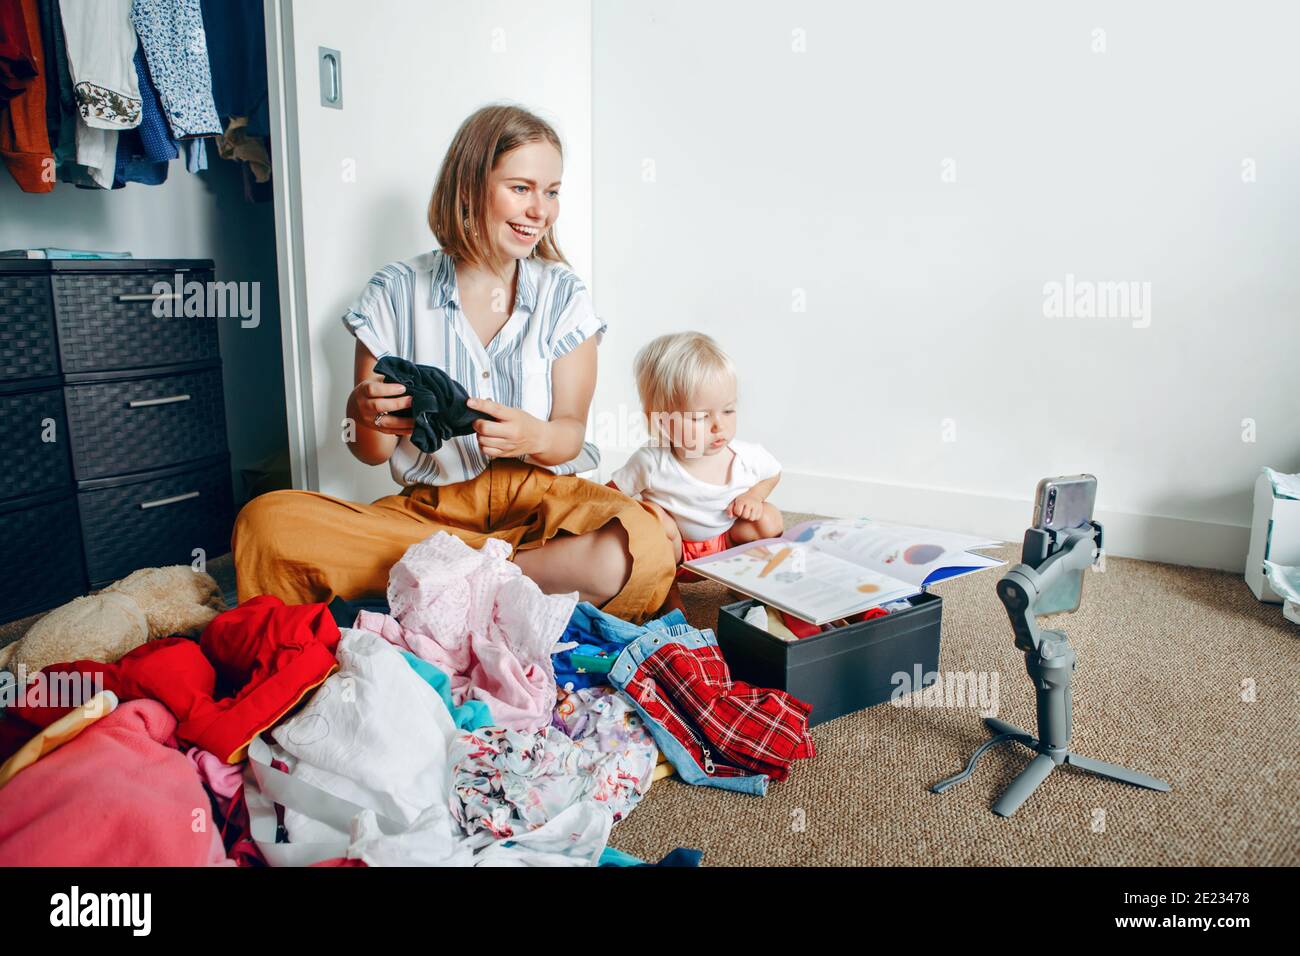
[(731, 729)]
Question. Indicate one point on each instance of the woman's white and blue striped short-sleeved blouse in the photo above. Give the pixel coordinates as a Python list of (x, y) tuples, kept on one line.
[(411, 309)]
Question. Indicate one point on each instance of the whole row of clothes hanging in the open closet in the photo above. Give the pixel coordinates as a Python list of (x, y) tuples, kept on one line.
[(123, 84)]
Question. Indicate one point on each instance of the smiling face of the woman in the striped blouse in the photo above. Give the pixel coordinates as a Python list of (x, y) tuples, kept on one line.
[(523, 198)]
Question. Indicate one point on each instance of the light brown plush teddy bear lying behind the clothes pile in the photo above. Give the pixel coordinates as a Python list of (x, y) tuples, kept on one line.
[(148, 604)]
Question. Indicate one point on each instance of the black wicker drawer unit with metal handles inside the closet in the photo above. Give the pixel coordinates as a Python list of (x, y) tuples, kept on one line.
[(114, 422)]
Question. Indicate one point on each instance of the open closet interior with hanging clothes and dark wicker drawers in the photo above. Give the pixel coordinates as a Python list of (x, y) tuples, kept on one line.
[(142, 392)]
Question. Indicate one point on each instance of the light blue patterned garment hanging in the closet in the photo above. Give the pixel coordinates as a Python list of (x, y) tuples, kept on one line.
[(176, 49)]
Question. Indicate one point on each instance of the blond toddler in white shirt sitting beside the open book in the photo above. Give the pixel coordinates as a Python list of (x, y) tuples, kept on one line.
[(709, 490)]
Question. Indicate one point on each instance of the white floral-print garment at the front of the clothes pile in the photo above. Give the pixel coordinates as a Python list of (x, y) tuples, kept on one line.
[(508, 784)]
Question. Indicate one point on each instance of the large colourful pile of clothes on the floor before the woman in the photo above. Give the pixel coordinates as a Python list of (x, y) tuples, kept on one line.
[(470, 720)]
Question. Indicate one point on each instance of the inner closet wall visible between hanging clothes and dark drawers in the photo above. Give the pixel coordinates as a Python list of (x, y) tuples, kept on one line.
[(190, 217)]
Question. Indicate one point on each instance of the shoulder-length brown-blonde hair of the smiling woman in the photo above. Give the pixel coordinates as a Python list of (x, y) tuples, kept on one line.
[(461, 192)]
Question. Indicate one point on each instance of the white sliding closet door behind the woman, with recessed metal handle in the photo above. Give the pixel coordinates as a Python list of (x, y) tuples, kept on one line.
[(353, 183)]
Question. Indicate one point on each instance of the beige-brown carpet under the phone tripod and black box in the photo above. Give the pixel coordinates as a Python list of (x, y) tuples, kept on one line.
[(1164, 654)]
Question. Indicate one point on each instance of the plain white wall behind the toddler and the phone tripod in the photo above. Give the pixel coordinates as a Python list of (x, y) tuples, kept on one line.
[(822, 171)]
